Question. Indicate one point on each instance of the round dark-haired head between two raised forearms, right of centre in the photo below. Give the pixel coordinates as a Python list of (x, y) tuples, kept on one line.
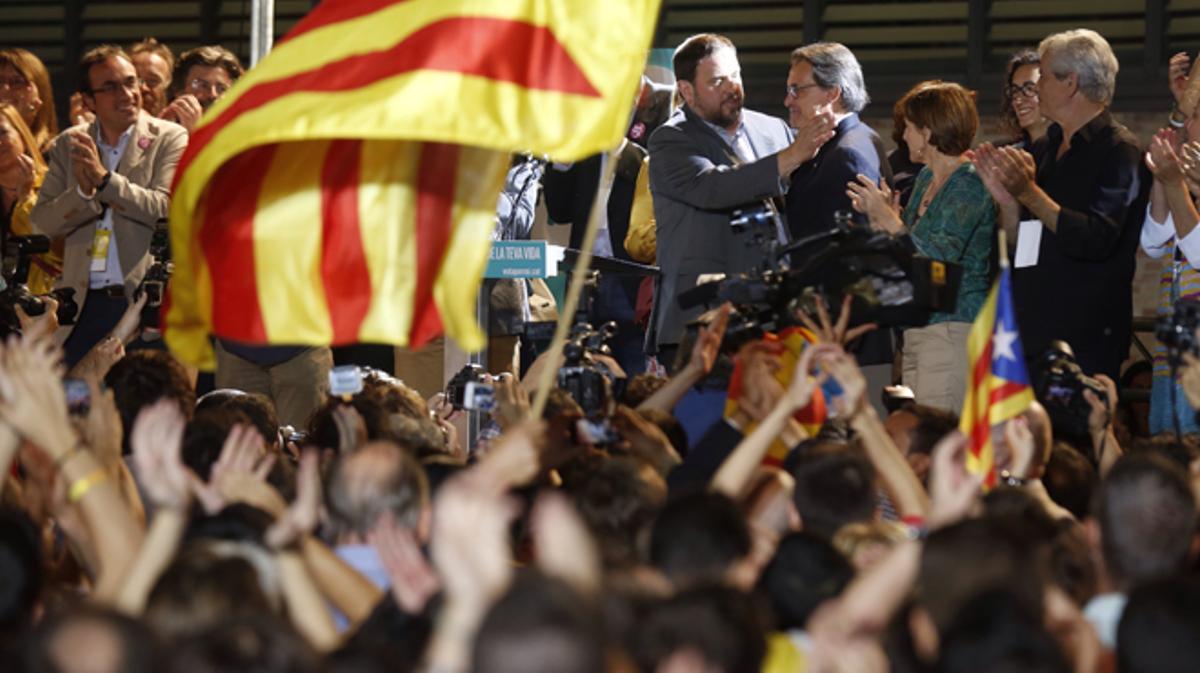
[(833, 488)]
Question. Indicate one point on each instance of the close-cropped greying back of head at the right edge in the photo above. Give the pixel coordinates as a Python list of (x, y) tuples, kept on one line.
[(1148, 518)]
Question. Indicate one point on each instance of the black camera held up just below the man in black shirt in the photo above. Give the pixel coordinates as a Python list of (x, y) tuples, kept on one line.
[(1060, 384)]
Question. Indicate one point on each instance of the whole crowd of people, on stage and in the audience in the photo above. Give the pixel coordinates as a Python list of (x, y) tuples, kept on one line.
[(631, 526)]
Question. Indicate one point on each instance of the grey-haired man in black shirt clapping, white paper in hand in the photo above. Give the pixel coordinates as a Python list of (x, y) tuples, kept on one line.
[(1083, 208)]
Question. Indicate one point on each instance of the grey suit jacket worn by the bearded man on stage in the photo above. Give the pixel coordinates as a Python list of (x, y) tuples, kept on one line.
[(698, 183)]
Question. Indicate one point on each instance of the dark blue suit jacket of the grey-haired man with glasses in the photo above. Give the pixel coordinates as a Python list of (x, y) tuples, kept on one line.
[(819, 187)]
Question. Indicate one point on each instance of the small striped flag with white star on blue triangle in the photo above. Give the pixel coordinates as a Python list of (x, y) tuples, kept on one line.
[(998, 381)]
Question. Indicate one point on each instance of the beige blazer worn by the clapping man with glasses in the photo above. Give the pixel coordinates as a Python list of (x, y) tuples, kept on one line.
[(139, 193)]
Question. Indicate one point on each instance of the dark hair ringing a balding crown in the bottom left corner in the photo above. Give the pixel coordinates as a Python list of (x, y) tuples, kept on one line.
[(140, 652)]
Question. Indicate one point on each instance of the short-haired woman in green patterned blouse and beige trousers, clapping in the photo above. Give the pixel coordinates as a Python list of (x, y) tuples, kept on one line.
[(951, 218)]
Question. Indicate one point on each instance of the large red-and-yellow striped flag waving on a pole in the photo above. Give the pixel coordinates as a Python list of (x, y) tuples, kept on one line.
[(345, 189)]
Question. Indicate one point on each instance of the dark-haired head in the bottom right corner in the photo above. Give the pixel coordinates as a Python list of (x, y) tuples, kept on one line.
[(1160, 627)]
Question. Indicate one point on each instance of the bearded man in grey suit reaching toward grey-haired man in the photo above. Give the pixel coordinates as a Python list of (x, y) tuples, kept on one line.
[(711, 159)]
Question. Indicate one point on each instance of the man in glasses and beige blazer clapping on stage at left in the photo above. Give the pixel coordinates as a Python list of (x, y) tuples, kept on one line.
[(109, 185)]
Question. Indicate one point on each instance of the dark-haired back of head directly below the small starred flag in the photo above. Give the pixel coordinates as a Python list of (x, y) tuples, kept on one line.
[(971, 557)]
